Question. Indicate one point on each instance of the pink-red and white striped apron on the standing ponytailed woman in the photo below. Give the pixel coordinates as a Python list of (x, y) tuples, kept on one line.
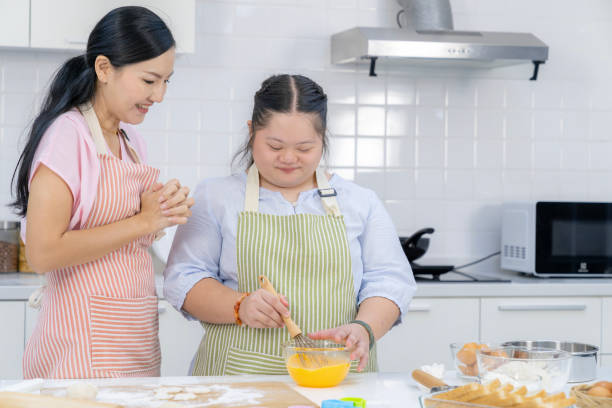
[(100, 319)]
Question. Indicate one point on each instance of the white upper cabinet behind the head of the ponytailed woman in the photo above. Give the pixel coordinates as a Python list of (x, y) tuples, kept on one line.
[(66, 24)]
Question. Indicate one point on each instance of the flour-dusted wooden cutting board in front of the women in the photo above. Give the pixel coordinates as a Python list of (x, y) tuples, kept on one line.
[(267, 394)]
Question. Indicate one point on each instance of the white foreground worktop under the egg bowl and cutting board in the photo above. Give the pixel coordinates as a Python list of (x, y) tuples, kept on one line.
[(380, 390)]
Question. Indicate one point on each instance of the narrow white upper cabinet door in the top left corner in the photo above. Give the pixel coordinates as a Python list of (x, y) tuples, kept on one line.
[(14, 23)]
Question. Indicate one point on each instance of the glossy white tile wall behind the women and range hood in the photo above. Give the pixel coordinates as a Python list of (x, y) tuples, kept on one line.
[(441, 148)]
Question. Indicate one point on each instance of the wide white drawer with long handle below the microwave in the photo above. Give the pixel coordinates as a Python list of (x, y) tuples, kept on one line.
[(570, 319)]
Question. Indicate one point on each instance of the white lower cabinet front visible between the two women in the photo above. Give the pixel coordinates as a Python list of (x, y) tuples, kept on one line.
[(179, 339)]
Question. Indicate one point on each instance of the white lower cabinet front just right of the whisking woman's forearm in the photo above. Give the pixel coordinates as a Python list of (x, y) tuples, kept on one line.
[(424, 336)]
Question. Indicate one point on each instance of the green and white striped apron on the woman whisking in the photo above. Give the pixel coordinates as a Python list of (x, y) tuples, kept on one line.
[(307, 258)]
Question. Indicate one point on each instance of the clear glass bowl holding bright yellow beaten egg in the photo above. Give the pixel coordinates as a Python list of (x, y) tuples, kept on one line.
[(324, 365)]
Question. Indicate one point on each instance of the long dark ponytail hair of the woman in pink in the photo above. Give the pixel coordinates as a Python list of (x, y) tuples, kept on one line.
[(126, 35)]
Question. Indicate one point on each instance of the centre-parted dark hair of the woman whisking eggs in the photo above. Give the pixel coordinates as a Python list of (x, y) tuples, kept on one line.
[(285, 94)]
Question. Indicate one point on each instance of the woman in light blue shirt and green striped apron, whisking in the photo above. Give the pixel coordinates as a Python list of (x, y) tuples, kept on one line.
[(325, 243)]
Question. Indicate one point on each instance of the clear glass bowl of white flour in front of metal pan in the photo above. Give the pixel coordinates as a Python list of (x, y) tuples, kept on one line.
[(536, 369)]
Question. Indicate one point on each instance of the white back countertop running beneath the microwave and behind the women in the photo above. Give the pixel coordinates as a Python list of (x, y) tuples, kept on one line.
[(19, 286)]
